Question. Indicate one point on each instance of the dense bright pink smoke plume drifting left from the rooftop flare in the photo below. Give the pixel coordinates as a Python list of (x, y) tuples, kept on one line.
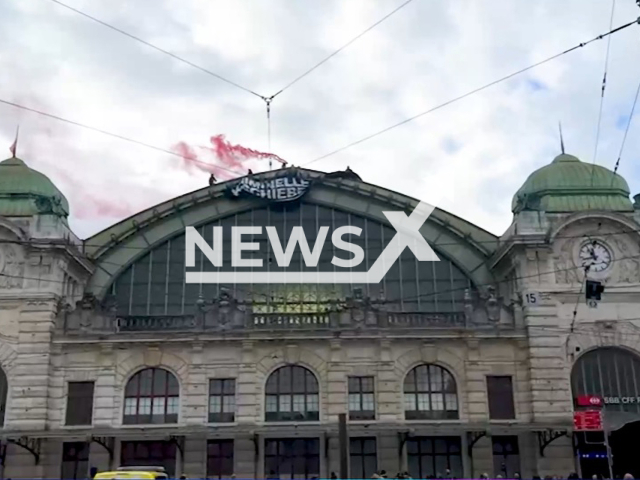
[(232, 158)]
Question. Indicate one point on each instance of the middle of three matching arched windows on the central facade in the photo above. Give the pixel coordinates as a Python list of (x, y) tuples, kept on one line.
[(292, 395)]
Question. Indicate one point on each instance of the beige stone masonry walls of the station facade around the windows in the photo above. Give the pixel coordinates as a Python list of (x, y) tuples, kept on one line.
[(57, 327)]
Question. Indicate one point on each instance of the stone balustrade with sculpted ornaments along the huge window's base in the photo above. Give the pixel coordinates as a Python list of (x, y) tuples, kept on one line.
[(226, 313)]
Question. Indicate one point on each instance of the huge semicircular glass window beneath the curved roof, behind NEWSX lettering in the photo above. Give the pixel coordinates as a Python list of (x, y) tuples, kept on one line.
[(153, 284)]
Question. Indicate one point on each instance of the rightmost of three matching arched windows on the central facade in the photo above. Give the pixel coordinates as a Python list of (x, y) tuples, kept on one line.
[(430, 393)]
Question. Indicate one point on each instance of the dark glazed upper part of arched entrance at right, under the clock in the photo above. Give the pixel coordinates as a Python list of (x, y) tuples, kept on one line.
[(610, 373)]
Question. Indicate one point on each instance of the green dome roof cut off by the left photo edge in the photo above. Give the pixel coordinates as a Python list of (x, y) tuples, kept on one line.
[(26, 192)]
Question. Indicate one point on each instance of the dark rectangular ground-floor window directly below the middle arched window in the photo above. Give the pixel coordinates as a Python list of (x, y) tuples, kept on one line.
[(291, 458)]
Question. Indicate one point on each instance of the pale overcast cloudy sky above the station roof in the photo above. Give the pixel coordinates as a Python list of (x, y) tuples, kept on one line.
[(481, 148)]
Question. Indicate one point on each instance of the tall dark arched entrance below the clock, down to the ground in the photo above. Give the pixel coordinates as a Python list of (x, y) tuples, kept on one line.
[(611, 374)]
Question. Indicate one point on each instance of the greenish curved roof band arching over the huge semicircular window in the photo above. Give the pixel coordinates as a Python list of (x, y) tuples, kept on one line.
[(116, 248)]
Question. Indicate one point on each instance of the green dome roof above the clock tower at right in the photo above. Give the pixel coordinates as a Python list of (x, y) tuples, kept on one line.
[(569, 185)]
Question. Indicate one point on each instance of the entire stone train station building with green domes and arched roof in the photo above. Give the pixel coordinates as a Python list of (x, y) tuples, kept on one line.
[(473, 364)]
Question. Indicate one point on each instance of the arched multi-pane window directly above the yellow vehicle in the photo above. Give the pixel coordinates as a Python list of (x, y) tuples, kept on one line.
[(151, 396)]
